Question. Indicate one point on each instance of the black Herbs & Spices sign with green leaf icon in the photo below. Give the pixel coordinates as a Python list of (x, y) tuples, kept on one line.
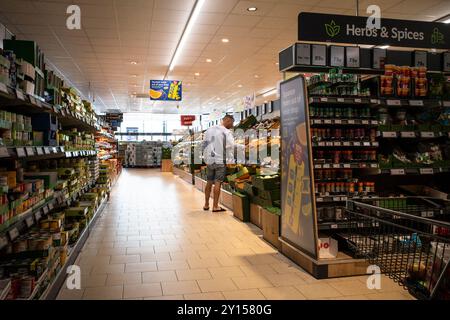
[(351, 29)]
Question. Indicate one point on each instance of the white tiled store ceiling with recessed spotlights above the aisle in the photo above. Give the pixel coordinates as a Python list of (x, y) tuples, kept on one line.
[(116, 32)]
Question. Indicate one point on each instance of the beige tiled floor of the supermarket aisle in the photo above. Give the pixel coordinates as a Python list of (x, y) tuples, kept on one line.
[(154, 241)]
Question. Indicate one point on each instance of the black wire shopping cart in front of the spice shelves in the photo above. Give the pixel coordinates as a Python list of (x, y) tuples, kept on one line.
[(407, 238)]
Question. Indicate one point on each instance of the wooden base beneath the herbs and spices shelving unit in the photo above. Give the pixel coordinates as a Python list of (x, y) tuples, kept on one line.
[(342, 266)]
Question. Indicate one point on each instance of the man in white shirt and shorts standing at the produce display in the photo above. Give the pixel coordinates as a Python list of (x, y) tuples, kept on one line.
[(218, 150)]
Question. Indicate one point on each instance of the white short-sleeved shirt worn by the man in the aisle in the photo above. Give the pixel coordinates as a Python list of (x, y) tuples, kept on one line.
[(218, 141)]
